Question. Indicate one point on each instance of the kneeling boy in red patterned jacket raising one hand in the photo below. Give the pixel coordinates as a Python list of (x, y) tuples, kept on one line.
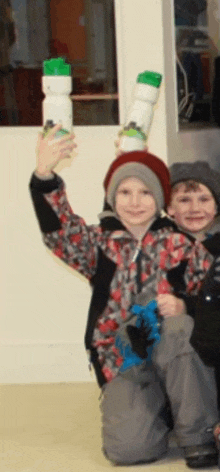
[(131, 246)]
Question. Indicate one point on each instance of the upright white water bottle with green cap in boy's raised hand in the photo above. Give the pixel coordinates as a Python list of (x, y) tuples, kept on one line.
[(57, 86)]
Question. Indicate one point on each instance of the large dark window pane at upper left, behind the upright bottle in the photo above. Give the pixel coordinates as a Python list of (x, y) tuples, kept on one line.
[(80, 31)]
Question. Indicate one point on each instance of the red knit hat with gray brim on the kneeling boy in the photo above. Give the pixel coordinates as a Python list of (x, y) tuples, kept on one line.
[(143, 165)]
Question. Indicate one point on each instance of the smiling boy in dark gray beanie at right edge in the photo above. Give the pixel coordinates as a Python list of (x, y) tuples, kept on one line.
[(195, 206)]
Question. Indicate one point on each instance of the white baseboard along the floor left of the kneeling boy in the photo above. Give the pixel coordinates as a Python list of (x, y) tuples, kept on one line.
[(48, 362)]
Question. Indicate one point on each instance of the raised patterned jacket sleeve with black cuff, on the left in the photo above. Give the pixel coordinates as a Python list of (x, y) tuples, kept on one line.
[(64, 233)]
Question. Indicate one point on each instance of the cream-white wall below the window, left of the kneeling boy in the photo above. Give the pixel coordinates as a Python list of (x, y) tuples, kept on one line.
[(44, 304)]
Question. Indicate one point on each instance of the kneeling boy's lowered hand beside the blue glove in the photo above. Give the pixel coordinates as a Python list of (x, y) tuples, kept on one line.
[(169, 305)]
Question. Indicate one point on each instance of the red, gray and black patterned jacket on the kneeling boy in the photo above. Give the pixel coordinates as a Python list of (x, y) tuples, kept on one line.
[(106, 254)]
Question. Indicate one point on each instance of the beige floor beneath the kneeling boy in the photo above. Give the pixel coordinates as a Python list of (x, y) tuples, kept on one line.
[(57, 428)]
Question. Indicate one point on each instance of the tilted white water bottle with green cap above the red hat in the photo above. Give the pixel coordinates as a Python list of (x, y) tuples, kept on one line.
[(134, 135)]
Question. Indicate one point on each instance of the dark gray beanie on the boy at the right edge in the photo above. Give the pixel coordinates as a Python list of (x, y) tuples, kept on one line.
[(201, 172)]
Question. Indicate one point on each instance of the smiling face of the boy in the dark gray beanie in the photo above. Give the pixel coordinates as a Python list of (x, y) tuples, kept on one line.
[(193, 209)]
